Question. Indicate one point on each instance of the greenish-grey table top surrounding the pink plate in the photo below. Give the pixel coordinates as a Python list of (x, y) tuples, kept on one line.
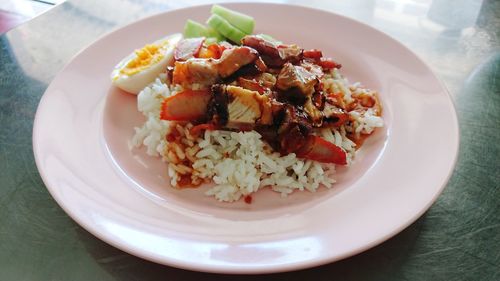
[(458, 238)]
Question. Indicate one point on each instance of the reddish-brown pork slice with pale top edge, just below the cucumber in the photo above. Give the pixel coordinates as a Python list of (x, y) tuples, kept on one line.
[(233, 59)]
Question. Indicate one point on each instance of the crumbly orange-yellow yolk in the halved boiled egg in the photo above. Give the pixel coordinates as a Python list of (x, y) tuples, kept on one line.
[(148, 55)]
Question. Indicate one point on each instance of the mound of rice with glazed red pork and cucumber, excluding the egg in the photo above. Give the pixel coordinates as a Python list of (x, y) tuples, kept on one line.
[(252, 114)]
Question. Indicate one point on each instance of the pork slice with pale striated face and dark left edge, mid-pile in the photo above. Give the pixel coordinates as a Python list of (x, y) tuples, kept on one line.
[(240, 108)]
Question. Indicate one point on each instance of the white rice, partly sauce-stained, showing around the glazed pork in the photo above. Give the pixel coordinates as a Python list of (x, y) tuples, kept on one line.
[(240, 163)]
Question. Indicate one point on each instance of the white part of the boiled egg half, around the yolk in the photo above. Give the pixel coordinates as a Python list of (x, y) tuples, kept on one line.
[(134, 83)]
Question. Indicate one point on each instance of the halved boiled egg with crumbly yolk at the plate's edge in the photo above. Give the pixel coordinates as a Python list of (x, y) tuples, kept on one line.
[(143, 66)]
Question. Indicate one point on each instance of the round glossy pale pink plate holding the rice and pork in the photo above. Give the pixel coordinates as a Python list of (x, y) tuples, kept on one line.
[(83, 125)]
